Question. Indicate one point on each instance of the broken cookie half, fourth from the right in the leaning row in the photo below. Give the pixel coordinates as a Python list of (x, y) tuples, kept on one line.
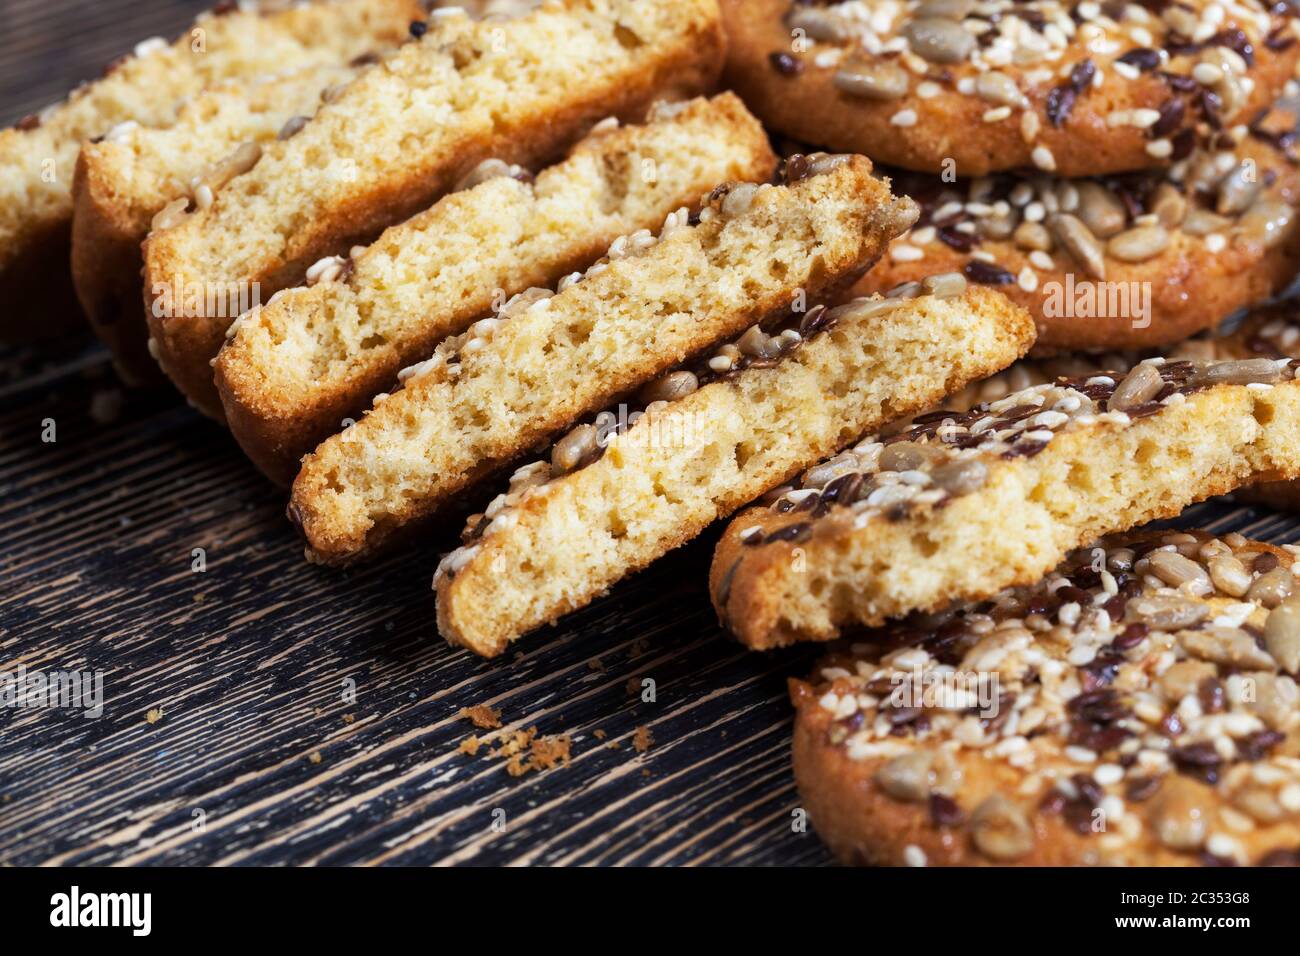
[(301, 365)]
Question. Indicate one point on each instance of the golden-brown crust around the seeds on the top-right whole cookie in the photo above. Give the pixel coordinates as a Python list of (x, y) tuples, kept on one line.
[(947, 127)]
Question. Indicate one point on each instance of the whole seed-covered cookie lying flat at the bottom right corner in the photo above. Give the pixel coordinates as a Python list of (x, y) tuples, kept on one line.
[(1136, 707)]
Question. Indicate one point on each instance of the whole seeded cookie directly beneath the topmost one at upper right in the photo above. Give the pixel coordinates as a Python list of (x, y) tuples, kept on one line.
[(1126, 262)]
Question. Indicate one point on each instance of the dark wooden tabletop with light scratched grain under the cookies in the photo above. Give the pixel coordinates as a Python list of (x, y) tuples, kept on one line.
[(249, 660)]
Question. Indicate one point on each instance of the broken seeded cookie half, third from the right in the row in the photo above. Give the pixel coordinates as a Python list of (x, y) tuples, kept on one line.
[(489, 396)]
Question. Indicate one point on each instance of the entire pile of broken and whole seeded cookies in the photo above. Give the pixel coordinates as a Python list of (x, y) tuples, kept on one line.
[(926, 293)]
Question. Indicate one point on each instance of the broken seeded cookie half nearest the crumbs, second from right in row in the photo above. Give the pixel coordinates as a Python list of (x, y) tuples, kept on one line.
[(704, 440)]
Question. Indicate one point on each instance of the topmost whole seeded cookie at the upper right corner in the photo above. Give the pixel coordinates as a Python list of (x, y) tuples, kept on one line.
[(976, 88)]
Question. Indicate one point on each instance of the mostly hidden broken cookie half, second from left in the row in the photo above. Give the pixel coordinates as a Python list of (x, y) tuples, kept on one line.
[(123, 184)]
